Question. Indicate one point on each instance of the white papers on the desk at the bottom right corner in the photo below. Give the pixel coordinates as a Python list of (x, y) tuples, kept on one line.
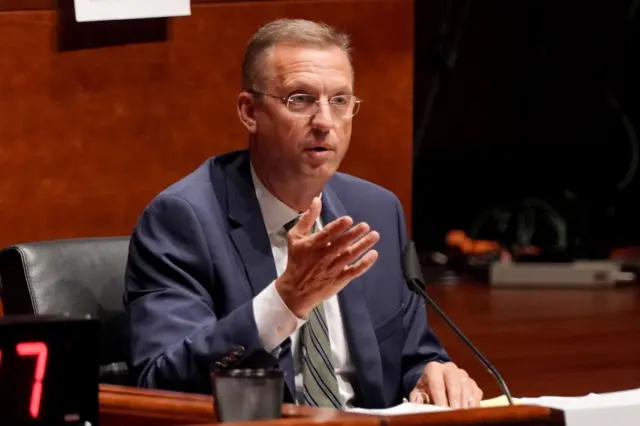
[(610, 409)]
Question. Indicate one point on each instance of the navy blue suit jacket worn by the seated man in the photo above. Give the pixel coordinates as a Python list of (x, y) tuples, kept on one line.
[(200, 253)]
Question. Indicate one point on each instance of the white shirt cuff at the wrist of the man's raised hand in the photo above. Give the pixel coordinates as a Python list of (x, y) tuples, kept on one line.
[(274, 319)]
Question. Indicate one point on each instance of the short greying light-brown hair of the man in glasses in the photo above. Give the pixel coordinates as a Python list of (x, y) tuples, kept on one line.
[(296, 32)]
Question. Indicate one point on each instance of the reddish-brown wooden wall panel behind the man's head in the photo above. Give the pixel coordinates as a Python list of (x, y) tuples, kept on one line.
[(89, 135)]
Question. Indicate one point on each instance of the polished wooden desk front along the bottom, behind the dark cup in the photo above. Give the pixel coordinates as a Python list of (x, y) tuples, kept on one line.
[(124, 406)]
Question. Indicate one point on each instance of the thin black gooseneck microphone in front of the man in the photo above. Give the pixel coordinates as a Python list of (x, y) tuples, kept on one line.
[(415, 281)]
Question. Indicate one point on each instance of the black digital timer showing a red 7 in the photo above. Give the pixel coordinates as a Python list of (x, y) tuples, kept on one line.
[(48, 371)]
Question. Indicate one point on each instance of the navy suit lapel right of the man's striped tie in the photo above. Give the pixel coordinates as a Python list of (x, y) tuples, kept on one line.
[(363, 347)]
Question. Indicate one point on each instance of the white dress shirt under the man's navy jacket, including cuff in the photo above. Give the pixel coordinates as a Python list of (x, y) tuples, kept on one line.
[(273, 318)]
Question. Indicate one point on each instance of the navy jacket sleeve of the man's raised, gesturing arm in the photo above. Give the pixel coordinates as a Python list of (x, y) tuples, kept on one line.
[(175, 334)]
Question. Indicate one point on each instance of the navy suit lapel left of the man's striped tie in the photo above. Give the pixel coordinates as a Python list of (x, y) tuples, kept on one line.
[(250, 238)]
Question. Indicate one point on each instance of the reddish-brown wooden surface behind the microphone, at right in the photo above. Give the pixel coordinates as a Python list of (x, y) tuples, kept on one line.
[(565, 342)]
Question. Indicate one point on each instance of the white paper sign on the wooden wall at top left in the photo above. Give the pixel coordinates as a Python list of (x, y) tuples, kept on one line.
[(110, 10)]
